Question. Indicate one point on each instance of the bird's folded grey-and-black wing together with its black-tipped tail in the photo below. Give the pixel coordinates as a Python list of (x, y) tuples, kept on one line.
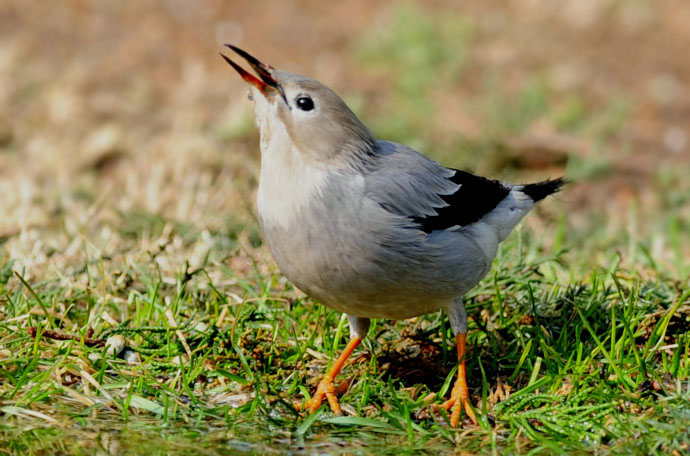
[(433, 198)]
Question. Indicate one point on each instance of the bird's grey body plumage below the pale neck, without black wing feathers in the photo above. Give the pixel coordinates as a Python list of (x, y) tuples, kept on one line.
[(352, 248)]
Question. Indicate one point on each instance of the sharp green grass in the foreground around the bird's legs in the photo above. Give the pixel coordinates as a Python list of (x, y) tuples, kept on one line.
[(586, 365)]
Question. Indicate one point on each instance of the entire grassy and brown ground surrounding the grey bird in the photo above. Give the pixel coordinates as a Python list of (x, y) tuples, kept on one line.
[(128, 172)]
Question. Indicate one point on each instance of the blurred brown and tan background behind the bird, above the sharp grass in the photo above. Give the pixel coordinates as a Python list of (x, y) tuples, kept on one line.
[(123, 133)]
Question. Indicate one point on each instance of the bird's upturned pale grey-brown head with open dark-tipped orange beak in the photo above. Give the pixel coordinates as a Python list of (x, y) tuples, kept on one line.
[(297, 111)]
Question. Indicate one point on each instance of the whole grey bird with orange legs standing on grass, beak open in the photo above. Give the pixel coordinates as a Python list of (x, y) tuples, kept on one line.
[(368, 227)]
